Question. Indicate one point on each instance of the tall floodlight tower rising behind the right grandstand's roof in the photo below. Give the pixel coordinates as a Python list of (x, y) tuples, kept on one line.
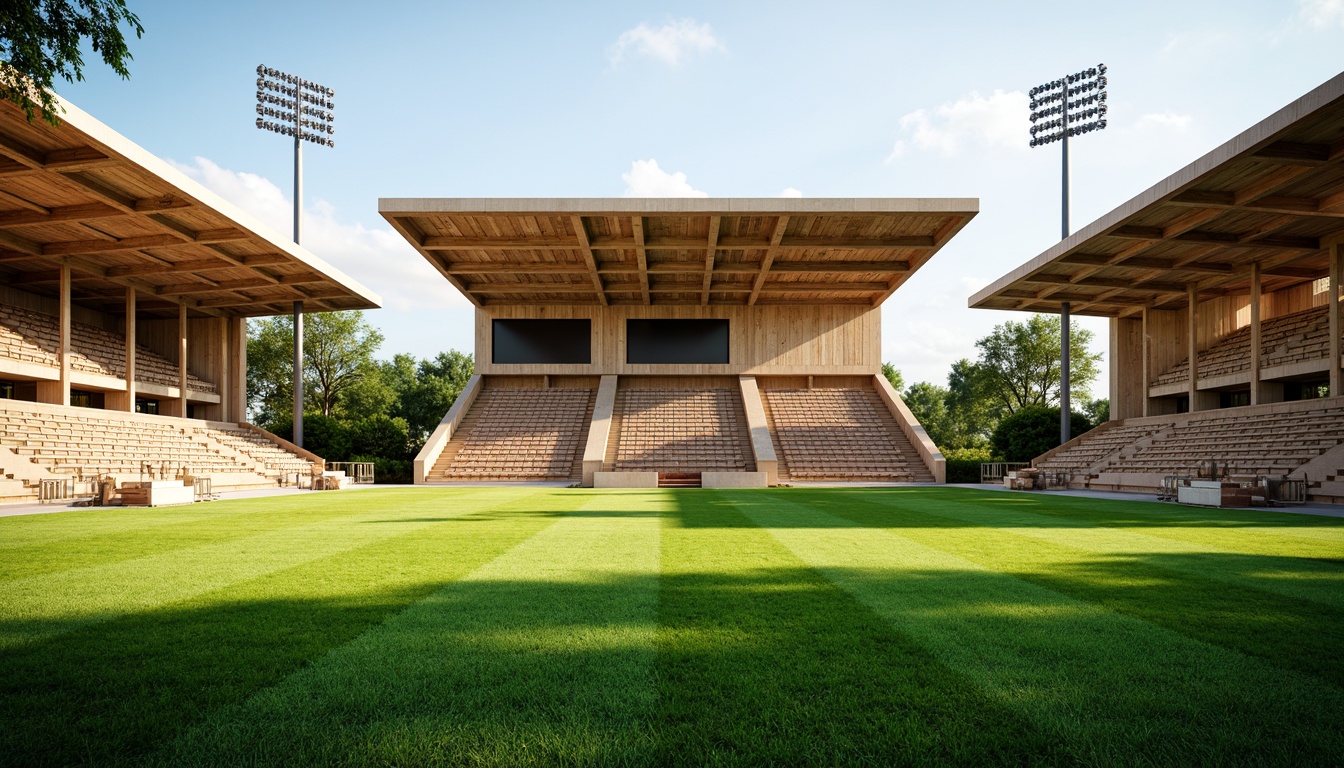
[(1068, 107)]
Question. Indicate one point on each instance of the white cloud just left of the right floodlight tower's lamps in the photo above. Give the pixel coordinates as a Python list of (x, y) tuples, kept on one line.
[(995, 122)]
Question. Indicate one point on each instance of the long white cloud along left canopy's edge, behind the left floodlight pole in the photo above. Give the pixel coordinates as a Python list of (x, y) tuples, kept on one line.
[(377, 258)]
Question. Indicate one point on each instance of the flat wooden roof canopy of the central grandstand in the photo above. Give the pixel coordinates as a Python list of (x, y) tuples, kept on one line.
[(678, 251)]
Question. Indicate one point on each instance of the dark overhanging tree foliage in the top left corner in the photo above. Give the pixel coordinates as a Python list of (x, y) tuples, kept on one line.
[(44, 40)]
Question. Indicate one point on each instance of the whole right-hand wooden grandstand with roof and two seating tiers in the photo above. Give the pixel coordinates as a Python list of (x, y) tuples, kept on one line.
[(1222, 286)]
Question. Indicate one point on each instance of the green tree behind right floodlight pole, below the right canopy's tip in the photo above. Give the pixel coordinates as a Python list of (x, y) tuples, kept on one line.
[(1021, 364)]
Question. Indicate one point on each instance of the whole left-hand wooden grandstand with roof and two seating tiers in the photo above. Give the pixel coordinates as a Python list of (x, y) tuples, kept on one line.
[(124, 295)]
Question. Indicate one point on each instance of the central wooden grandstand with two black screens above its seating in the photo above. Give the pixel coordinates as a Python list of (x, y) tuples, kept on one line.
[(678, 342)]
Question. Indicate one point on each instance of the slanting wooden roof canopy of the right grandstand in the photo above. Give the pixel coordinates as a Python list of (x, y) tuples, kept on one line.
[(1272, 196)]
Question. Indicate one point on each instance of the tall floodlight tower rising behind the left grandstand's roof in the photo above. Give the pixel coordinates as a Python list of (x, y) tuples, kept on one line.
[(306, 111)]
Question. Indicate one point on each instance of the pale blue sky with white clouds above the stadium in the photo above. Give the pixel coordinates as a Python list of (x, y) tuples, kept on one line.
[(729, 100)]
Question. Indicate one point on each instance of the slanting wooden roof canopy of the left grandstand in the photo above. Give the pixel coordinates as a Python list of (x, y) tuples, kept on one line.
[(84, 196)]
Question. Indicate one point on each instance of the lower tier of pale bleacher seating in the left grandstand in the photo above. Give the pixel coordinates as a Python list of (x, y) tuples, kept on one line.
[(89, 443)]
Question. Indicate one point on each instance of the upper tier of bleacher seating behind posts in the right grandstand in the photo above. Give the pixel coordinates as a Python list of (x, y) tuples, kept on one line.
[(1287, 340)]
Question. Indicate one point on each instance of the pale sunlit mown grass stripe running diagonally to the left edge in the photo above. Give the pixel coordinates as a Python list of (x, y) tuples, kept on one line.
[(46, 606)]
